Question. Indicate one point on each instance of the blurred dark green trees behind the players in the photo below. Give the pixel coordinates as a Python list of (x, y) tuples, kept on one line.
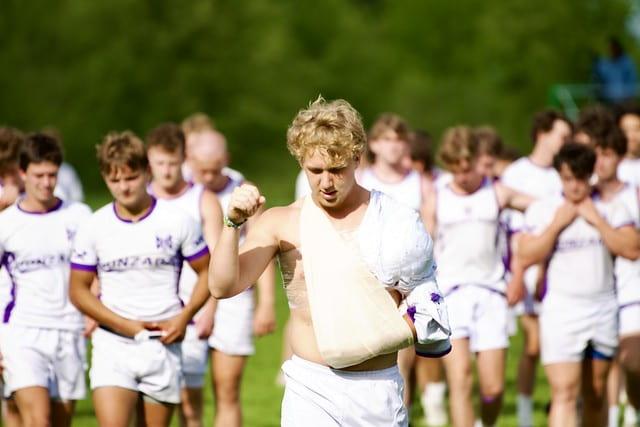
[(87, 67)]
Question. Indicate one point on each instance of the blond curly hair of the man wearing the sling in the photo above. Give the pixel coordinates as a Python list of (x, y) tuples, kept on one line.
[(334, 129)]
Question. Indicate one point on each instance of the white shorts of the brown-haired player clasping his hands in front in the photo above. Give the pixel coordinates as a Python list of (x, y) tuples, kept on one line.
[(148, 367)]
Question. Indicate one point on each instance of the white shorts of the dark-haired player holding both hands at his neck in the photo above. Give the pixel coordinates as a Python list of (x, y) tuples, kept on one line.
[(571, 331)]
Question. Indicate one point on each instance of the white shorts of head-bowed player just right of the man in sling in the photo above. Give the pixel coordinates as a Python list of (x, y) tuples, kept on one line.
[(480, 314)]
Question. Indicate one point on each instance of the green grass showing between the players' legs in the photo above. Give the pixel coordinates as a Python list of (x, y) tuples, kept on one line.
[(261, 396)]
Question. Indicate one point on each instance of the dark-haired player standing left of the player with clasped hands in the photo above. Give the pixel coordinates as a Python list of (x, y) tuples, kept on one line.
[(41, 340)]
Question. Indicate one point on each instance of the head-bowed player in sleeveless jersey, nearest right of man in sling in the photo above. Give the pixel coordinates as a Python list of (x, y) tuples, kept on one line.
[(464, 215)]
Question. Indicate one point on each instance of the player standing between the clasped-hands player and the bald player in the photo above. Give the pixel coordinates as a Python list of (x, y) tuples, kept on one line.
[(166, 152)]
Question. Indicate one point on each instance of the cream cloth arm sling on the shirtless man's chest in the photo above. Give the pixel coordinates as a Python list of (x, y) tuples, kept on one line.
[(354, 317)]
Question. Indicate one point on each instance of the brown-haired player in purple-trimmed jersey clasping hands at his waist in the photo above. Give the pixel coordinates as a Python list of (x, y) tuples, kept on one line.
[(135, 247)]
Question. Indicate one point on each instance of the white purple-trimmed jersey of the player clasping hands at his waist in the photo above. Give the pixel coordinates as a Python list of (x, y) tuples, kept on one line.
[(139, 263)]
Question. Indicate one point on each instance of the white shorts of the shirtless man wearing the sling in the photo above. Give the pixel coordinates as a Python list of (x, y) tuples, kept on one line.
[(318, 396)]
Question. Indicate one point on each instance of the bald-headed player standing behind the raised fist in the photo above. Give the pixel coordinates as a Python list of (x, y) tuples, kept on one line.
[(236, 320)]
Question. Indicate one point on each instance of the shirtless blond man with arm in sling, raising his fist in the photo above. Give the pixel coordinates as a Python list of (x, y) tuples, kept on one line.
[(345, 270)]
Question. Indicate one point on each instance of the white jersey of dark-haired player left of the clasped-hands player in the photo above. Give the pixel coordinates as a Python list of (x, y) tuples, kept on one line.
[(35, 249)]
